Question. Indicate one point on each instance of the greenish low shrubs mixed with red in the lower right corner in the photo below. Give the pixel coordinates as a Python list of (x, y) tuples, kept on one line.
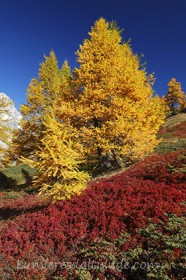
[(154, 252)]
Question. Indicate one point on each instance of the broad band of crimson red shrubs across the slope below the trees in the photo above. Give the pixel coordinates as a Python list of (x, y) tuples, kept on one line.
[(122, 203)]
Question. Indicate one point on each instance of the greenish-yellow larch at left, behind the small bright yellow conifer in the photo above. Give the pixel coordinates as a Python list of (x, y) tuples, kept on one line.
[(41, 93)]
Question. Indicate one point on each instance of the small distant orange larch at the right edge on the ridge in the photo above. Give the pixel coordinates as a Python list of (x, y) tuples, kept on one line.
[(175, 98)]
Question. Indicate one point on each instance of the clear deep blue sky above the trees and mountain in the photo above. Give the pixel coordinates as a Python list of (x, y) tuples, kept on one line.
[(31, 28)]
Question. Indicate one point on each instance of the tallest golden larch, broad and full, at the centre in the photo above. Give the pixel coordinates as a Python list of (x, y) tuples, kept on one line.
[(116, 113)]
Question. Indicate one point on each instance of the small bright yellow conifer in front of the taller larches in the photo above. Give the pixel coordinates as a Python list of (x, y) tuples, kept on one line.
[(59, 156)]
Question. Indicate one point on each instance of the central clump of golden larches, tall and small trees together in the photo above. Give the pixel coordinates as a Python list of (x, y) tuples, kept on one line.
[(106, 106)]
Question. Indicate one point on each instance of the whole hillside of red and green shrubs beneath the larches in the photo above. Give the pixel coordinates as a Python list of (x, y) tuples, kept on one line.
[(127, 225)]
